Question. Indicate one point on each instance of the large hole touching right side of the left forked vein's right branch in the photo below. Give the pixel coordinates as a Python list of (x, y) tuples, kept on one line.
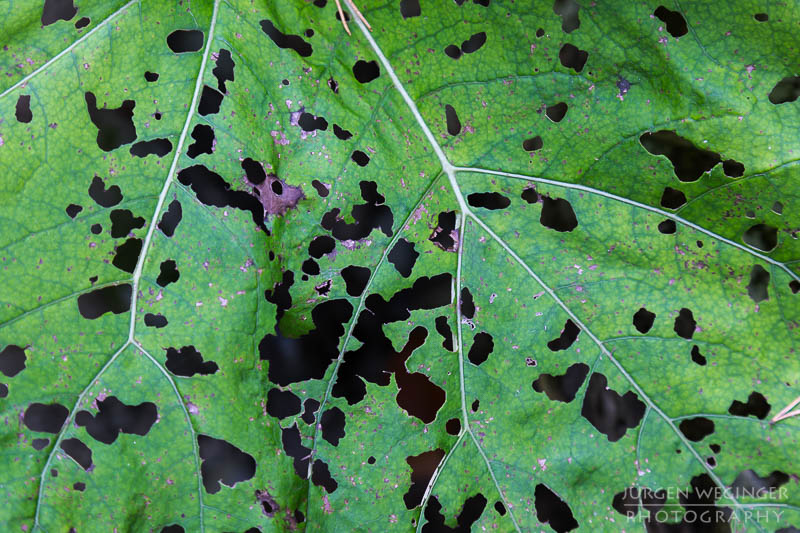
[(223, 462)]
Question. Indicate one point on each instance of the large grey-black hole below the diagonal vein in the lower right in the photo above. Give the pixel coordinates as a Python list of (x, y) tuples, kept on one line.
[(611, 413)]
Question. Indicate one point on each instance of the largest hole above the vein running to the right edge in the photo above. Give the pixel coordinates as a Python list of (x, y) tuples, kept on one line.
[(688, 161)]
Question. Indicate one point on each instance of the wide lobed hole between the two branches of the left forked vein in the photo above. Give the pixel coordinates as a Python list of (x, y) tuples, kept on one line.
[(114, 417)]
